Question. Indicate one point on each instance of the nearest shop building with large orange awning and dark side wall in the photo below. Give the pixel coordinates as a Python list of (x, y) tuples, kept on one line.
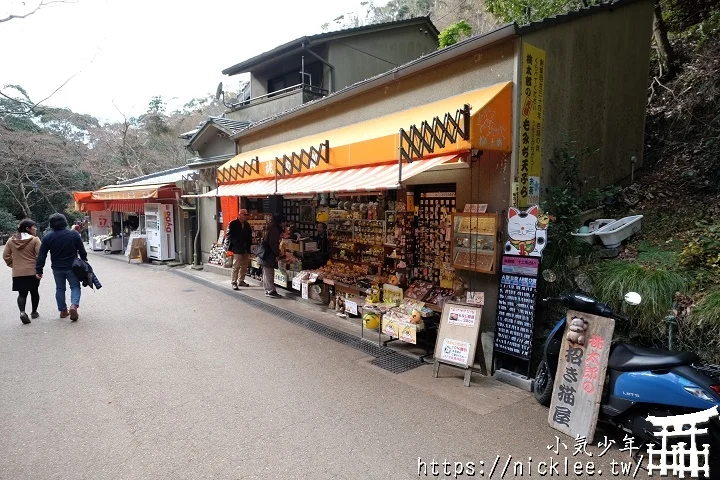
[(416, 169)]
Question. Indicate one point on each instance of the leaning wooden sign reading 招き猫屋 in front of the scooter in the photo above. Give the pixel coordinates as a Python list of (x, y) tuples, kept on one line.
[(580, 377)]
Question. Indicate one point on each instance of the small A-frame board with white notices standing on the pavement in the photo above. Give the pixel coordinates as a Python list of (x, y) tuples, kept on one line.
[(457, 339)]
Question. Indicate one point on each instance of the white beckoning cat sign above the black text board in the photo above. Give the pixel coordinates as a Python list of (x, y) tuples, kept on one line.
[(527, 232)]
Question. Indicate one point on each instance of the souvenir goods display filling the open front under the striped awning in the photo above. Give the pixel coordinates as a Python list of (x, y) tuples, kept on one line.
[(395, 258)]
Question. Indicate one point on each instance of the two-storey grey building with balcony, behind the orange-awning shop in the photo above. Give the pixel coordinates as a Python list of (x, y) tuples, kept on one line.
[(301, 71)]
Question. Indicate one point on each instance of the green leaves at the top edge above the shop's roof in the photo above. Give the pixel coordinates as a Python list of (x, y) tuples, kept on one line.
[(526, 11)]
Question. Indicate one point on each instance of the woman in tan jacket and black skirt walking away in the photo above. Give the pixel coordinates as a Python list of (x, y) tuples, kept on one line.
[(20, 254)]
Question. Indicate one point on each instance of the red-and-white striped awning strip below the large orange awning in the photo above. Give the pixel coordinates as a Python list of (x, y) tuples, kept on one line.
[(372, 178)]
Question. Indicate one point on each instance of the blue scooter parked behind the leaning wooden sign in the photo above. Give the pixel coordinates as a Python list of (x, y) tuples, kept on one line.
[(640, 381)]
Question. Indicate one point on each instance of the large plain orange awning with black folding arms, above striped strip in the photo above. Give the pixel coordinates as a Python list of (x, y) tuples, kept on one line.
[(378, 141)]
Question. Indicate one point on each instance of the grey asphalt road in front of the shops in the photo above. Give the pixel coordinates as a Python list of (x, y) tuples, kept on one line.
[(164, 378)]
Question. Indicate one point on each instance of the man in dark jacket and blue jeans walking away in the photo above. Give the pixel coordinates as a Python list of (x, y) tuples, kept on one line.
[(64, 246)]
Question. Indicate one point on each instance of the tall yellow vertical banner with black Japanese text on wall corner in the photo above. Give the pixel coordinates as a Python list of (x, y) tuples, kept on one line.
[(532, 91)]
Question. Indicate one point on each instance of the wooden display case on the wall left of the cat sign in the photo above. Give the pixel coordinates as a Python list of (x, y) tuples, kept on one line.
[(474, 242)]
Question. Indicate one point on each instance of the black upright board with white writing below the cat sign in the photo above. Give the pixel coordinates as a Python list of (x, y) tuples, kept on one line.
[(516, 306)]
